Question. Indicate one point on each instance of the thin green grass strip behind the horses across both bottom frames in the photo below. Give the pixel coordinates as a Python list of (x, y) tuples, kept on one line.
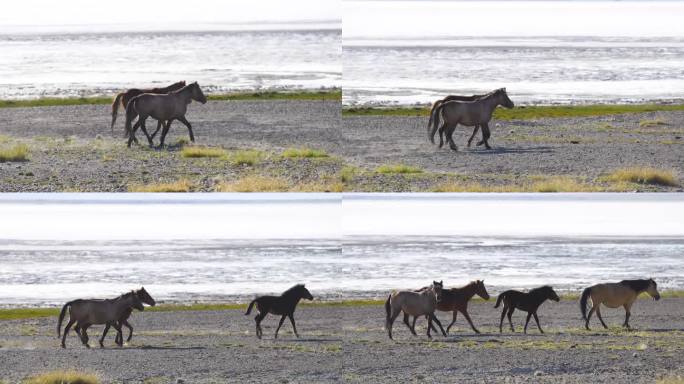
[(33, 313)]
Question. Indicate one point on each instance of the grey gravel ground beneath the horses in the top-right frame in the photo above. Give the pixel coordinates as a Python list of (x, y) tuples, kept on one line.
[(582, 147)]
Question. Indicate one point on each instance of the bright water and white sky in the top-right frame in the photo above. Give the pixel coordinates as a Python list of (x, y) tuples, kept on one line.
[(542, 52)]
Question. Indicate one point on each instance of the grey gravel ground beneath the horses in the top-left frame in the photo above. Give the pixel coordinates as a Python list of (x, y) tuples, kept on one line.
[(72, 148)]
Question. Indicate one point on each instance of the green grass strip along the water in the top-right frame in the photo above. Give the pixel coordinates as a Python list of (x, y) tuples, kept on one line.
[(527, 112)]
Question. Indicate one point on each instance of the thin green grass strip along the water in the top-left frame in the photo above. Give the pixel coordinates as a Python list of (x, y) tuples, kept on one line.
[(331, 94)]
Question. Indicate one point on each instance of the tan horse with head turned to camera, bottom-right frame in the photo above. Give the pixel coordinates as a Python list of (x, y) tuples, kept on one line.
[(413, 303)]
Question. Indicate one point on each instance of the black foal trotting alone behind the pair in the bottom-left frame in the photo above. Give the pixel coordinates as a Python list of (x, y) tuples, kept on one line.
[(283, 305)]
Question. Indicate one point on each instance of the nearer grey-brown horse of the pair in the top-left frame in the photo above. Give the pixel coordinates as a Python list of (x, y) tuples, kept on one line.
[(164, 108)]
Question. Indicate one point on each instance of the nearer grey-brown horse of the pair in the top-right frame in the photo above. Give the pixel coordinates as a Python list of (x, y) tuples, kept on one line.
[(471, 114)]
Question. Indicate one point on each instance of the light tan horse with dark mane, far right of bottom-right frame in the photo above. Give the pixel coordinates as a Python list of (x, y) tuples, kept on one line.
[(614, 295)]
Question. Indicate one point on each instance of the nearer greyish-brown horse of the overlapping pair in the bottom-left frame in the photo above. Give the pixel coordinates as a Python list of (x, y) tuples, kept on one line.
[(88, 312)]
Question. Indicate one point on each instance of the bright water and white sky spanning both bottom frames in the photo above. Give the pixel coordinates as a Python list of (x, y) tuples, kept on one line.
[(230, 247)]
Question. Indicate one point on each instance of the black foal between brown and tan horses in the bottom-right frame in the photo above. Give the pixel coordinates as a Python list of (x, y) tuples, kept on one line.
[(528, 302)]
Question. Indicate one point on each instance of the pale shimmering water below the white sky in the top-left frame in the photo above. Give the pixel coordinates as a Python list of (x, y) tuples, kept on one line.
[(308, 56)]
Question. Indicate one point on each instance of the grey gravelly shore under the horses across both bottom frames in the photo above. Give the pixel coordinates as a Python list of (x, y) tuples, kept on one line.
[(348, 344)]
